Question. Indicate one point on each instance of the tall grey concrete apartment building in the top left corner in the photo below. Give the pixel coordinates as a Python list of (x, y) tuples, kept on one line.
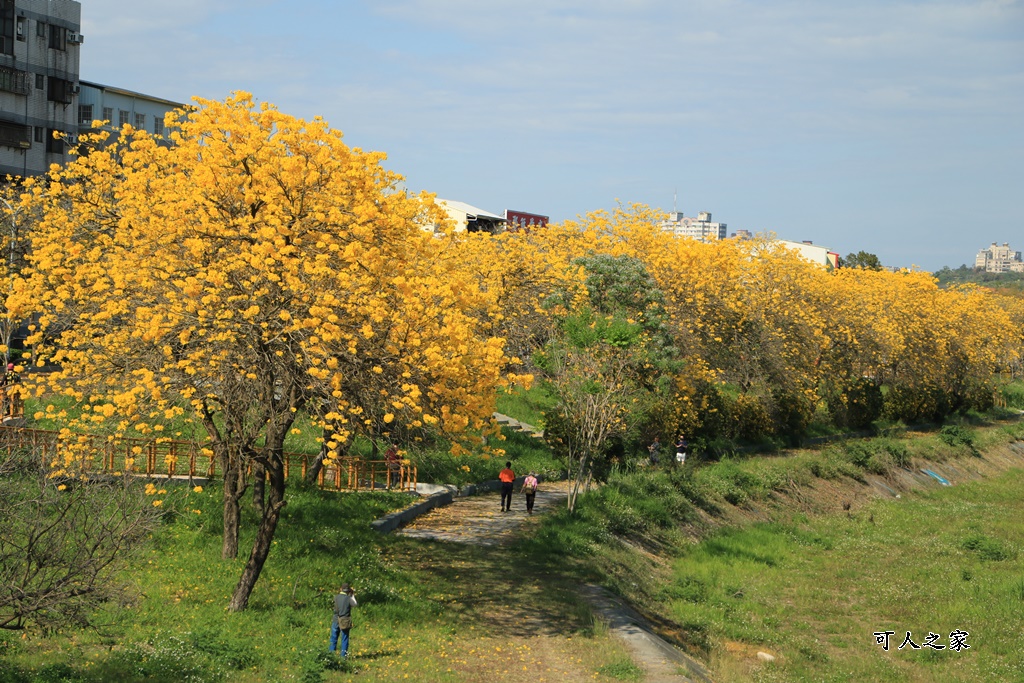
[(39, 63)]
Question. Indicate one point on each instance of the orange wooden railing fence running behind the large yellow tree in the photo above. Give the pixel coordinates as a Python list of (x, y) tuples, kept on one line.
[(169, 458)]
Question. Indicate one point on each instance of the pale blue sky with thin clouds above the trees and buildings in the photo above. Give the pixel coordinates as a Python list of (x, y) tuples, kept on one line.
[(886, 126)]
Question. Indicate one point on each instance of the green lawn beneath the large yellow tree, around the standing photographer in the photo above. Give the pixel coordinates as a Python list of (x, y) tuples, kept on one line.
[(177, 628)]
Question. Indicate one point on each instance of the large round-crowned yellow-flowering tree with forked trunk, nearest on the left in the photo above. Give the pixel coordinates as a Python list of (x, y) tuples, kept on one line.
[(249, 268)]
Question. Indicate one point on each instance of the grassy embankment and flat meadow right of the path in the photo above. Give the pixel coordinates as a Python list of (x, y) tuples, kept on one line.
[(814, 589)]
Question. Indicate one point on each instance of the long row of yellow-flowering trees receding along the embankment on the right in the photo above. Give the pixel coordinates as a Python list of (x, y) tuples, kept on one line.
[(767, 338)]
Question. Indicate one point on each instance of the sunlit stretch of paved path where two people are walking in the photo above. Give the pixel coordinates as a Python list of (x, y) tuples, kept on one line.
[(480, 521)]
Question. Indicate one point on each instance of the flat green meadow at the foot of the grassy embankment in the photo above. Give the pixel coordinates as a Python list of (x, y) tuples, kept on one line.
[(816, 590)]
